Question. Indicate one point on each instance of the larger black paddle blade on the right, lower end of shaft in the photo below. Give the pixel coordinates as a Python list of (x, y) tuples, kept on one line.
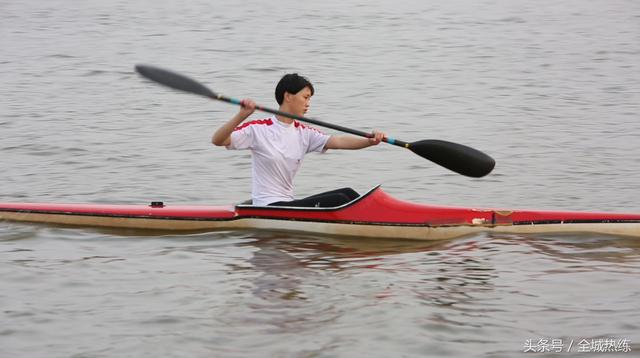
[(456, 157)]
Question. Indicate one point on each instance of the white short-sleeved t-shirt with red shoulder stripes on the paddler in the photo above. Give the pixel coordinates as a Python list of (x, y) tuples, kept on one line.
[(277, 150)]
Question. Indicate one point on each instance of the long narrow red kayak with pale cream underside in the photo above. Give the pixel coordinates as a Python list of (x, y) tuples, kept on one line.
[(374, 214)]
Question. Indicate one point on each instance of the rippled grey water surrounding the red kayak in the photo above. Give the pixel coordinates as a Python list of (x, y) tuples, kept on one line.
[(550, 89)]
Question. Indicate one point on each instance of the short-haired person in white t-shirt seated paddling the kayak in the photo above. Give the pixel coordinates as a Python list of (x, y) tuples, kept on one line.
[(278, 145)]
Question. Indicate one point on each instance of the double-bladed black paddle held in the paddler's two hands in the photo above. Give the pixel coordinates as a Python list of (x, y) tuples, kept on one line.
[(456, 157)]
